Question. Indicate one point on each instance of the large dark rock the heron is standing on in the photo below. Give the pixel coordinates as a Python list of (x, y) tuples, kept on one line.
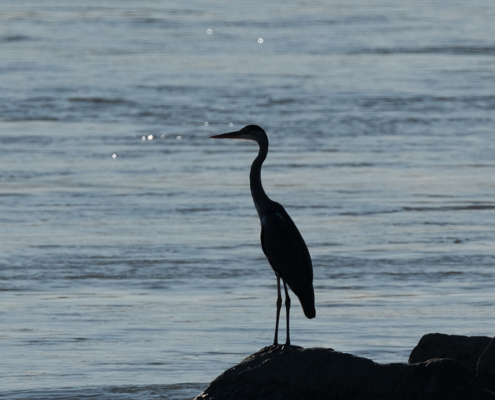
[(295, 373)]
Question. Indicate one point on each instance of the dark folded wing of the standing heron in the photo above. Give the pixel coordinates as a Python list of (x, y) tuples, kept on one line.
[(286, 251)]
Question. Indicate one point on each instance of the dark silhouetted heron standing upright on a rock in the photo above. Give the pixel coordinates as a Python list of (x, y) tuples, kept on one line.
[(281, 241)]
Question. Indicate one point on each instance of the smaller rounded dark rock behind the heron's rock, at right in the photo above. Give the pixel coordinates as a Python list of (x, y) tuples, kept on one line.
[(465, 349)]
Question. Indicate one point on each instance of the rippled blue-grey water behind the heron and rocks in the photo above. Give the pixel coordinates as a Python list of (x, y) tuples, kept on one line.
[(130, 260)]
